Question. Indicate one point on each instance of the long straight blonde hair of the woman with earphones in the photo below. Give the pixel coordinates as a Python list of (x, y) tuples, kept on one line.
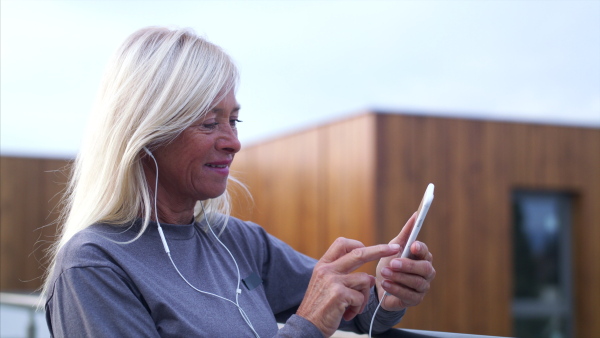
[(159, 82)]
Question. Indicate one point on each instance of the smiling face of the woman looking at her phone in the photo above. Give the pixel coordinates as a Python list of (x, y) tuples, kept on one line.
[(195, 165)]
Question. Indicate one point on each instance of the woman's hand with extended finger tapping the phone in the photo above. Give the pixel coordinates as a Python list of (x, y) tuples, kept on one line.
[(335, 291)]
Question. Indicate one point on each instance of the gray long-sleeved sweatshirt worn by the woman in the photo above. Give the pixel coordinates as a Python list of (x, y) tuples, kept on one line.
[(104, 288)]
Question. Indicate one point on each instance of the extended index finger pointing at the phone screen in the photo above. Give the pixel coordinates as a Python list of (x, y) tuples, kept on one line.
[(359, 256)]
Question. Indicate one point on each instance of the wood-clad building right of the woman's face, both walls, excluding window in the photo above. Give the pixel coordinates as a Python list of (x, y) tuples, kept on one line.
[(363, 177)]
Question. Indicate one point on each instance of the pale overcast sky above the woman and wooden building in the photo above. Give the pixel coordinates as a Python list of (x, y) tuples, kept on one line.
[(308, 62)]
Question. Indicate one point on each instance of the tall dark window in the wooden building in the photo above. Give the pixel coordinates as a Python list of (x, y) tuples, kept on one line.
[(542, 299)]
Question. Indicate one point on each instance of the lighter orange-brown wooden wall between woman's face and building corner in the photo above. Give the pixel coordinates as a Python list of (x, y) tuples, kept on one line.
[(312, 187)]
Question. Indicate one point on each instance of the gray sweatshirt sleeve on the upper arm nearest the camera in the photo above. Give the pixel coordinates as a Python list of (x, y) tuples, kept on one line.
[(96, 302)]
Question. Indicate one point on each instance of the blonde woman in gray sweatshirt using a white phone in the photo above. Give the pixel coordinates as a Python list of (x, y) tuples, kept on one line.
[(147, 247)]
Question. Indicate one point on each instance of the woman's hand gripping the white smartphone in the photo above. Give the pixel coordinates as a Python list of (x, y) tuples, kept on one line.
[(407, 280)]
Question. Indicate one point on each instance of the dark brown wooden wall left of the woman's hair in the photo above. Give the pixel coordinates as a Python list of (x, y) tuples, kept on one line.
[(28, 196)]
